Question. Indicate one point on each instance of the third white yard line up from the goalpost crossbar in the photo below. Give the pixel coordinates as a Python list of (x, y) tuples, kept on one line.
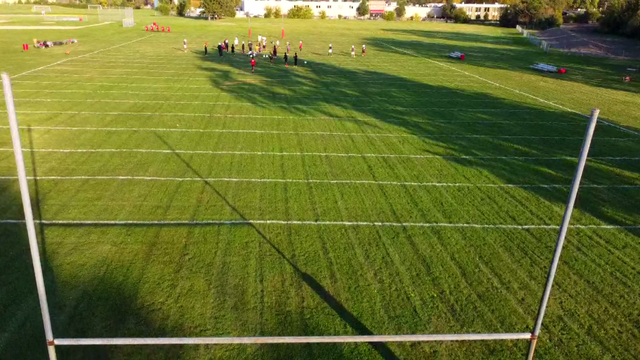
[(266, 153)]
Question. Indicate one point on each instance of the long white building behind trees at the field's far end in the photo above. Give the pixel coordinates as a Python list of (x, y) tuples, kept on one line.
[(348, 8)]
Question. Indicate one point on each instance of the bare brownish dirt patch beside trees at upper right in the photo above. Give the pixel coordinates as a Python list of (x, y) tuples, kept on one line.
[(583, 39)]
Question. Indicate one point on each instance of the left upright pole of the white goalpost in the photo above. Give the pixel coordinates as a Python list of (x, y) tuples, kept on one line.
[(28, 215)]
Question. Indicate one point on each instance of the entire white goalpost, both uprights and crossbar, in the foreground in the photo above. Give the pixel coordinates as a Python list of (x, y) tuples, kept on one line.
[(52, 341)]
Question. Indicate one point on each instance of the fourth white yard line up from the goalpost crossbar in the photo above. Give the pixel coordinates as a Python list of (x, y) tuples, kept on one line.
[(321, 133)]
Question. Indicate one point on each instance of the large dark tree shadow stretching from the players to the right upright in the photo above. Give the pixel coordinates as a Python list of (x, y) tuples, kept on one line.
[(477, 130)]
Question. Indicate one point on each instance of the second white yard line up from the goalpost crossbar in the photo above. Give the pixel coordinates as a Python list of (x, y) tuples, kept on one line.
[(320, 181)]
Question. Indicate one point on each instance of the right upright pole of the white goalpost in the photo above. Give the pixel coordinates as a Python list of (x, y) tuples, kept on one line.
[(582, 160)]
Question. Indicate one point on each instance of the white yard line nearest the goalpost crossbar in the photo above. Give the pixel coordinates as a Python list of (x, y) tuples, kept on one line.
[(304, 222)]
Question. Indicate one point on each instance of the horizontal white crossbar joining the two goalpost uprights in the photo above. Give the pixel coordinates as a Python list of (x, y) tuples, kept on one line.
[(294, 339)]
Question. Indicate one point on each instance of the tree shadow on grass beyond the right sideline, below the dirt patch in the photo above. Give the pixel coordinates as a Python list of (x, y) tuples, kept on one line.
[(514, 52)]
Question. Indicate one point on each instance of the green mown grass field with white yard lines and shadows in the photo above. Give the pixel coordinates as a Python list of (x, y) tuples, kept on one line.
[(399, 193)]
